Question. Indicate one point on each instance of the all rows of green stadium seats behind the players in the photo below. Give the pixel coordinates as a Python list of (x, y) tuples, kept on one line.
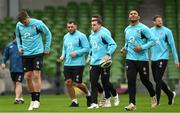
[(114, 13)]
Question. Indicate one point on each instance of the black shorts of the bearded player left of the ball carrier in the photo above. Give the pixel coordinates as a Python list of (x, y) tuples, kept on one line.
[(74, 73)]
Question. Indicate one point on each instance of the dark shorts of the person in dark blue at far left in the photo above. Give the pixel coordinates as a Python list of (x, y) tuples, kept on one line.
[(17, 76)]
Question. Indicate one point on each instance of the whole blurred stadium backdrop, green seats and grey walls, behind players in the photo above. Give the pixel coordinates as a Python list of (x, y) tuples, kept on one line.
[(55, 14)]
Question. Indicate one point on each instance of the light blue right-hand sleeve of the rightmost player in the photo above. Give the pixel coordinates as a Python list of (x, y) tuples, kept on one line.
[(172, 45)]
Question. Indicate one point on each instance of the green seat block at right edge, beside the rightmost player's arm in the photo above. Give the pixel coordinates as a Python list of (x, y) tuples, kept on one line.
[(173, 24)]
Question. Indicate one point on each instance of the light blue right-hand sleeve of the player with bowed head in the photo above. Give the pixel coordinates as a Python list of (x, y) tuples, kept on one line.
[(43, 28)]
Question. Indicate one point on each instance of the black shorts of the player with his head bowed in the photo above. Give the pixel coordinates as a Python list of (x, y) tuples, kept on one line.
[(33, 62)]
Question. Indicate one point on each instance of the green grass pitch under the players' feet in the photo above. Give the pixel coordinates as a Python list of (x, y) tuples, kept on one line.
[(60, 103)]
